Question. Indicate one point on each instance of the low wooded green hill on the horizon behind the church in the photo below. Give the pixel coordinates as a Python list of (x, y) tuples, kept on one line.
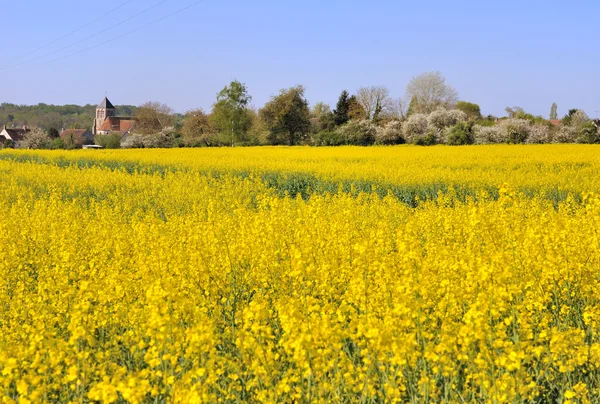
[(54, 116)]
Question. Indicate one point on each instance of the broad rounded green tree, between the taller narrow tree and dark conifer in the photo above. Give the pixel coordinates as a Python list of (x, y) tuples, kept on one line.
[(287, 117)]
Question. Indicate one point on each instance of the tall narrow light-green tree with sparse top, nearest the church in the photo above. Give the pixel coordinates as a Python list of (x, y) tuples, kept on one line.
[(230, 113)]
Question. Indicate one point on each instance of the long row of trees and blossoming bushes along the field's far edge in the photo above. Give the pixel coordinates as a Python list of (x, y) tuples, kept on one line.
[(429, 113)]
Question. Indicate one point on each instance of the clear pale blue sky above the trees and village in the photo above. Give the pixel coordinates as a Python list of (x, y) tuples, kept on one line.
[(497, 54)]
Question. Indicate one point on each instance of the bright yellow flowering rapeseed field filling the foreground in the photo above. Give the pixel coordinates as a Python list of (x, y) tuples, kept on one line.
[(399, 274)]
